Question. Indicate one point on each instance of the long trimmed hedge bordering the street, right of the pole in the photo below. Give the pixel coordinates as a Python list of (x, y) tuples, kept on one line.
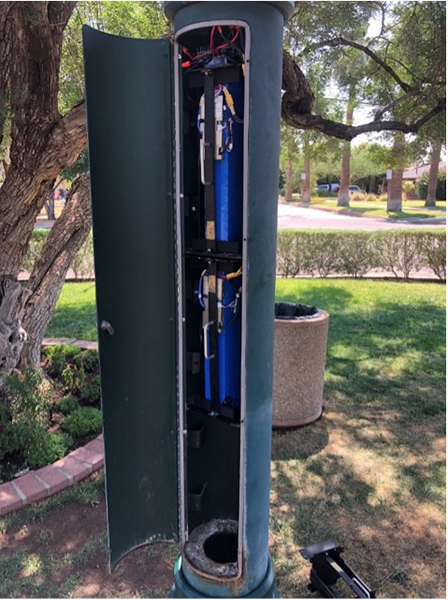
[(354, 253)]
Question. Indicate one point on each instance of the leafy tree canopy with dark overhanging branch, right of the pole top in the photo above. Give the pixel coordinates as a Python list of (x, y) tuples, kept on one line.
[(404, 77)]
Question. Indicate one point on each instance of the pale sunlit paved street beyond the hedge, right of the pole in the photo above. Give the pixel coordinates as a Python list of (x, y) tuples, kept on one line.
[(297, 217)]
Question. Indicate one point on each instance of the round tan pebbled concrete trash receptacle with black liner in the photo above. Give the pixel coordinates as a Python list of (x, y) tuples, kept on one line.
[(300, 346)]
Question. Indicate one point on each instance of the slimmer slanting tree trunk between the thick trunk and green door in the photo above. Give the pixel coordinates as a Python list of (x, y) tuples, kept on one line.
[(48, 276)]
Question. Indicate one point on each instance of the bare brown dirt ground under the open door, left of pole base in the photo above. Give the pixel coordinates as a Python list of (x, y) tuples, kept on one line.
[(66, 556)]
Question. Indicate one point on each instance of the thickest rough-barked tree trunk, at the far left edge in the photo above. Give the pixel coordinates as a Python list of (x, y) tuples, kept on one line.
[(43, 143)]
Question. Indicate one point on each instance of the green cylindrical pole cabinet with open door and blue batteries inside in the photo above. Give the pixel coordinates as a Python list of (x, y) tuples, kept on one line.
[(184, 149)]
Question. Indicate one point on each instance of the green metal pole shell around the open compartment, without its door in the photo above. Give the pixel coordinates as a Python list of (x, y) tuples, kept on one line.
[(265, 21)]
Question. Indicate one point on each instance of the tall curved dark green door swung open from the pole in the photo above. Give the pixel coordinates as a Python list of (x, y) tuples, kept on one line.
[(128, 87)]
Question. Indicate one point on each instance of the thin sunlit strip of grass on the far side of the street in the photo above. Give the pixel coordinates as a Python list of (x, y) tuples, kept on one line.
[(411, 208)]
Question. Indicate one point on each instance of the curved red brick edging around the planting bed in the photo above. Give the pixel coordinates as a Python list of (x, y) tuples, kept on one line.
[(43, 483)]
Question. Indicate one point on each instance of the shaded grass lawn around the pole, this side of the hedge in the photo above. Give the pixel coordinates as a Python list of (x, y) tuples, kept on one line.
[(370, 473)]
